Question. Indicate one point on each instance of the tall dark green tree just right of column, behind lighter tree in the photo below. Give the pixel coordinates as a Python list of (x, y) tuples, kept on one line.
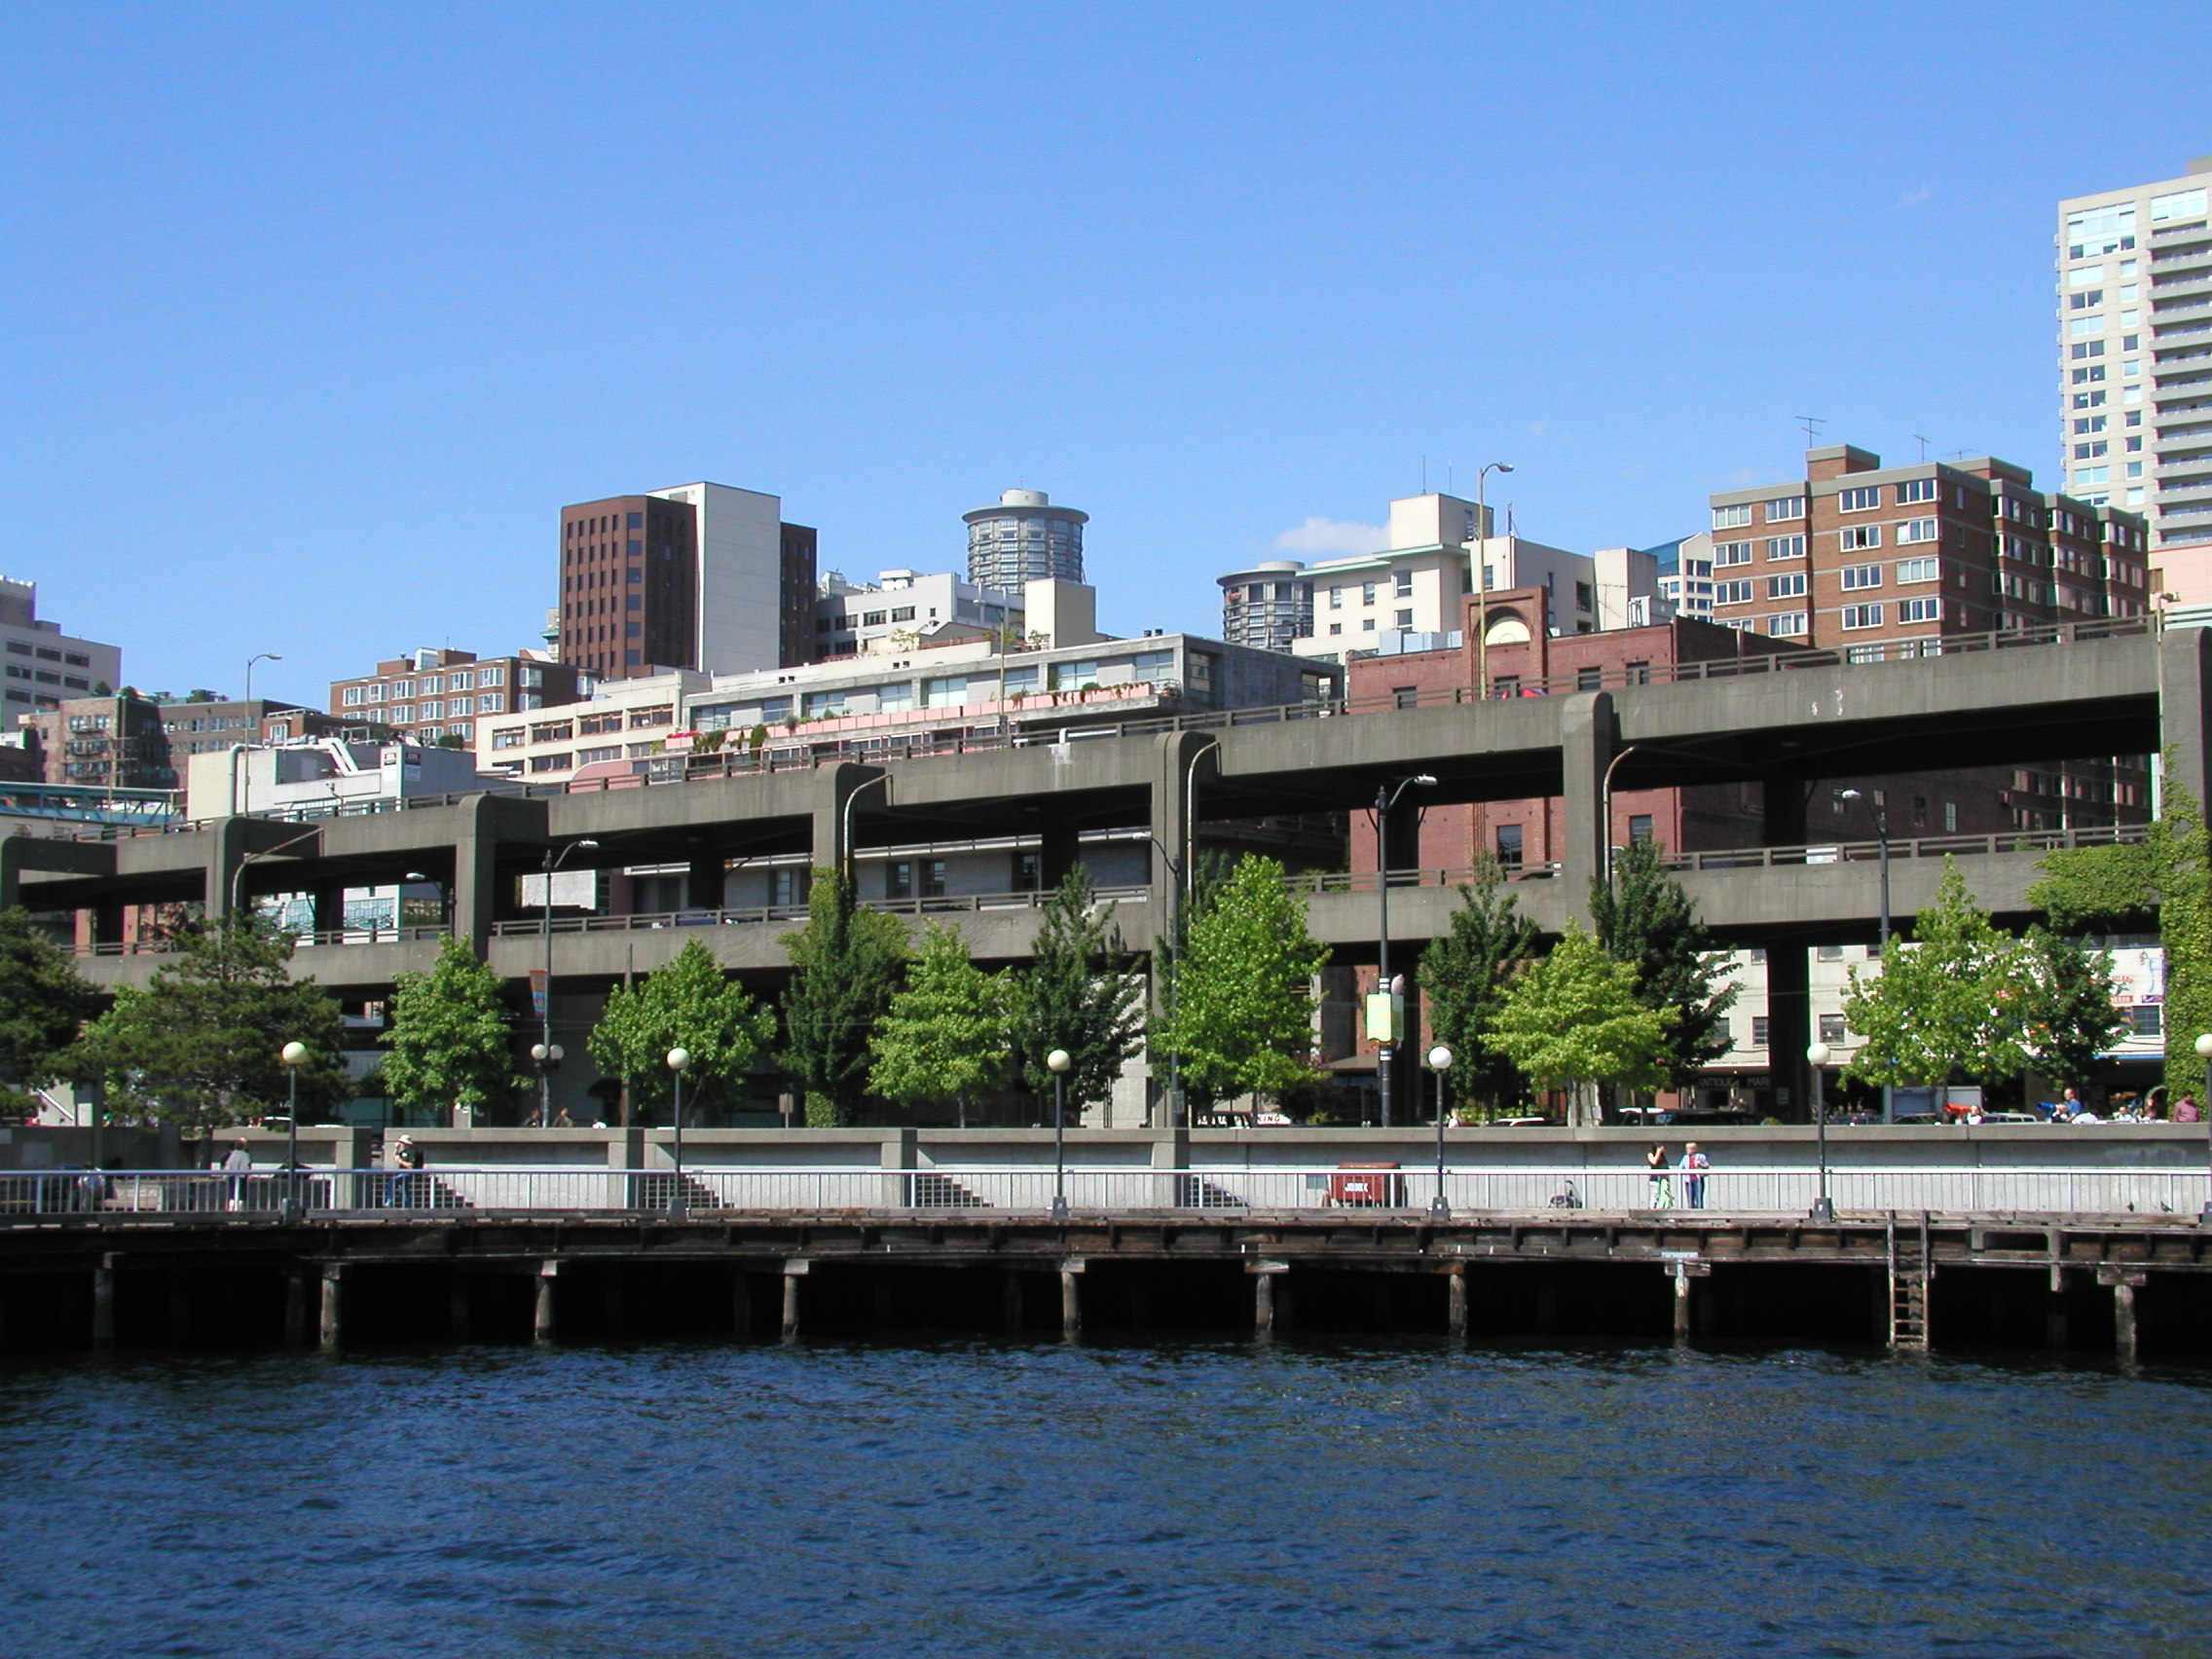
[(1649, 921)]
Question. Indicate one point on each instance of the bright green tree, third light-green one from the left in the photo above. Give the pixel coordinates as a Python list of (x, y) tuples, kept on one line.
[(946, 1036)]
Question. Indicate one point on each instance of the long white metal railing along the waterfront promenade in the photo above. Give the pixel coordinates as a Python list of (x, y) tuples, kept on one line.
[(1014, 1189)]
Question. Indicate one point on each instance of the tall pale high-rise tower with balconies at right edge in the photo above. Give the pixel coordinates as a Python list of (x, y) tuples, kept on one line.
[(2136, 364)]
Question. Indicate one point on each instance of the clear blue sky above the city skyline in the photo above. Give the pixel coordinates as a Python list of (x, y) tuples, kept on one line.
[(315, 315)]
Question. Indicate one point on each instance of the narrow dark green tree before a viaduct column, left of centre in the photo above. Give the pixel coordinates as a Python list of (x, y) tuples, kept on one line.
[(846, 968)]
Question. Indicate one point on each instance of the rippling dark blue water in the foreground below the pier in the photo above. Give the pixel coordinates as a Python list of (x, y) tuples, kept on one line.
[(1140, 1501)]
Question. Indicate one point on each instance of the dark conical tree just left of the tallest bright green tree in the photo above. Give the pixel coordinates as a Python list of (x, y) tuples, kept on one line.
[(1081, 994)]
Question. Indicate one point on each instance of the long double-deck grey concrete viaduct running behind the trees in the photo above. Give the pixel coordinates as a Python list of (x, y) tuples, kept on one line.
[(1782, 729)]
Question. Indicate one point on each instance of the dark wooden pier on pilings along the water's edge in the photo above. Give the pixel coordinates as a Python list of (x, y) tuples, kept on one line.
[(2116, 1284)]
